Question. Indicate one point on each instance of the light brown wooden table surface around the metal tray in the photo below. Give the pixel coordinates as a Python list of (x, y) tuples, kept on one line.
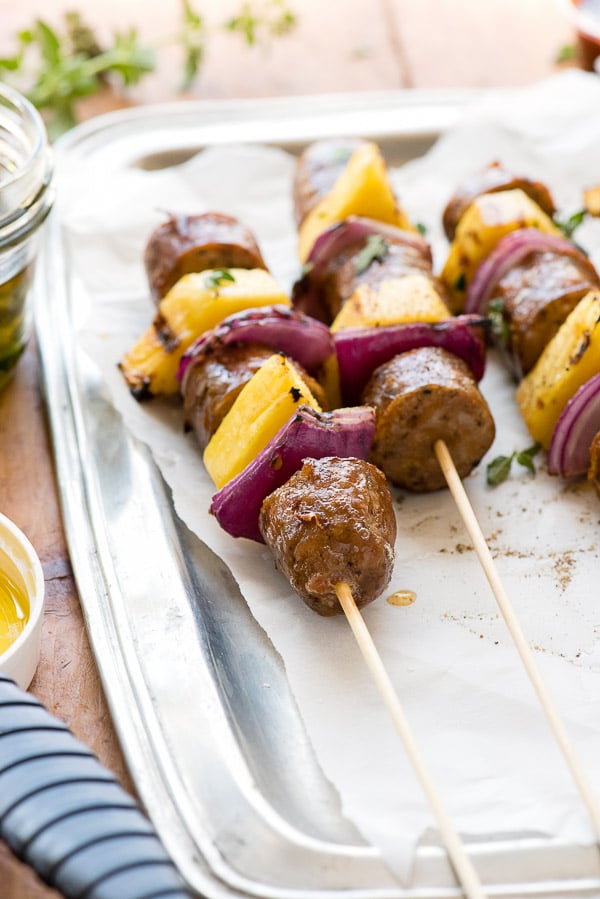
[(343, 45)]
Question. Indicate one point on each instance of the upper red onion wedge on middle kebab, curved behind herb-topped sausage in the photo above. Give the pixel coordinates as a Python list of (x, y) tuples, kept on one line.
[(352, 232)]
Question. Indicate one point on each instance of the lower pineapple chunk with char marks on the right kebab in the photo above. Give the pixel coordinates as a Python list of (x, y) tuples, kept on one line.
[(570, 359)]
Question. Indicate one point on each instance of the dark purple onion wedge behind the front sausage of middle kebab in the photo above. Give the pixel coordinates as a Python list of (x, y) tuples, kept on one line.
[(360, 351)]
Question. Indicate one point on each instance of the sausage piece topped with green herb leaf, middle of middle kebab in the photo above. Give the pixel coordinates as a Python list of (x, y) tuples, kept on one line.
[(323, 296)]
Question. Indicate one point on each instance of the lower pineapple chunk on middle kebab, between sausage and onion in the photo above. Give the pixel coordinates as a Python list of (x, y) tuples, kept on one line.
[(412, 298)]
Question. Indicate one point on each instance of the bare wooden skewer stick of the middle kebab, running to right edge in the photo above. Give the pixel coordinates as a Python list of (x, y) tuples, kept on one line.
[(508, 613)]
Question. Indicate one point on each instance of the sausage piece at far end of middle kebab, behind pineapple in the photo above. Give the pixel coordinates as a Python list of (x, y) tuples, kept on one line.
[(318, 168)]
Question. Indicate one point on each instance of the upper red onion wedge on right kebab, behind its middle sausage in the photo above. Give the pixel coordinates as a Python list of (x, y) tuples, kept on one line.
[(508, 253)]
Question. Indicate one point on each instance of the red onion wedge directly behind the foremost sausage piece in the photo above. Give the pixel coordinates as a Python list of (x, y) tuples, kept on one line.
[(308, 434)]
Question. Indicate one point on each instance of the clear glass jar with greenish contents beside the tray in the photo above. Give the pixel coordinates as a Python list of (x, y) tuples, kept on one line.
[(25, 201)]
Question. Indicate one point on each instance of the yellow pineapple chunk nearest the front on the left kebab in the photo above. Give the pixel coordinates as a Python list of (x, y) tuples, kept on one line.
[(263, 406)]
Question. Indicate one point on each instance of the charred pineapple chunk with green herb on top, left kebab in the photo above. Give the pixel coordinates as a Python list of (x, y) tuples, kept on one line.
[(195, 304)]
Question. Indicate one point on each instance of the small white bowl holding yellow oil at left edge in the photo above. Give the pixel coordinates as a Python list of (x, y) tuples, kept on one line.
[(19, 559)]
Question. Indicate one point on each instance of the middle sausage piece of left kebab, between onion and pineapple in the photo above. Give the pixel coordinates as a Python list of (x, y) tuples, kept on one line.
[(213, 381)]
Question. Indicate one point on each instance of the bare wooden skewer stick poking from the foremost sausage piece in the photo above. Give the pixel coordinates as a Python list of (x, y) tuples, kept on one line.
[(463, 867)]
